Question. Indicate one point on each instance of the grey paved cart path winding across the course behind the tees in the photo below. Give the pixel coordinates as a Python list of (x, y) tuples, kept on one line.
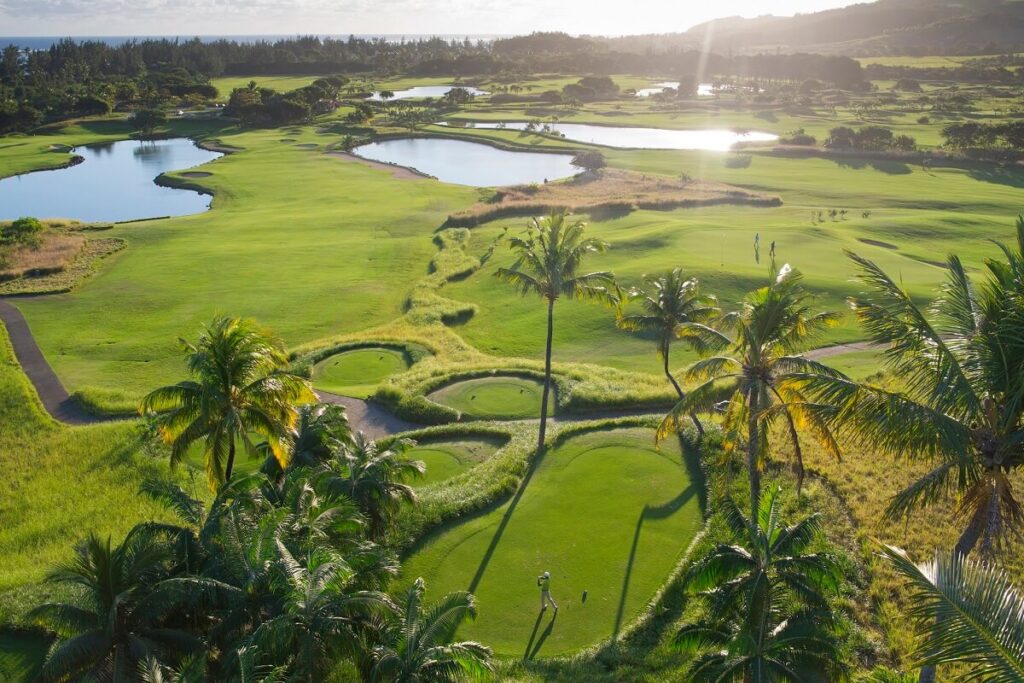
[(370, 418)]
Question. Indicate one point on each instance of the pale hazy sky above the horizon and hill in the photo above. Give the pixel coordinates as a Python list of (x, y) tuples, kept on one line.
[(110, 18)]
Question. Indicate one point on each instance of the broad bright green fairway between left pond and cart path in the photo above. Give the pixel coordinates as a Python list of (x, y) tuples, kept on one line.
[(336, 253)]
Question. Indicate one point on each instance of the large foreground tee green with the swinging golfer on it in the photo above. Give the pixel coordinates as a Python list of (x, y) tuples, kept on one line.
[(607, 514)]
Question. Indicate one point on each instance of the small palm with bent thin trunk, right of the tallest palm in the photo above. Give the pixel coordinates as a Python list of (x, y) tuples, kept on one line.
[(669, 304)]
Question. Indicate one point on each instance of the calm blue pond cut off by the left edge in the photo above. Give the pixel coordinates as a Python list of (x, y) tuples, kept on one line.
[(114, 183)]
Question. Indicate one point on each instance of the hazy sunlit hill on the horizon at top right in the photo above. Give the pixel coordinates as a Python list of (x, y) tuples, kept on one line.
[(885, 27)]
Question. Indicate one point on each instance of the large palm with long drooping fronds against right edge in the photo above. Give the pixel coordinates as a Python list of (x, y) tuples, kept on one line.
[(962, 404)]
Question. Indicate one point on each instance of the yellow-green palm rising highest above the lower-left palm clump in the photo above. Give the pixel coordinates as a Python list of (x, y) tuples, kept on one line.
[(242, 388)]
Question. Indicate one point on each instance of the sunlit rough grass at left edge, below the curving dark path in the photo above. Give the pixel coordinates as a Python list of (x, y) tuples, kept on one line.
[(63, 483)]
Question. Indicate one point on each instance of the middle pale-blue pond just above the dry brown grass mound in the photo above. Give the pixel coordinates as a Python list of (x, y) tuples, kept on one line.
[(470, 163)]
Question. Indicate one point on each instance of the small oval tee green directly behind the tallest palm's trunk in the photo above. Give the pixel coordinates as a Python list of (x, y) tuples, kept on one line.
[(495, 398)]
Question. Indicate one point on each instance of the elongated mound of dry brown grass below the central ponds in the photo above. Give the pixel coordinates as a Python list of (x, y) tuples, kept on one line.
[(613, 191)]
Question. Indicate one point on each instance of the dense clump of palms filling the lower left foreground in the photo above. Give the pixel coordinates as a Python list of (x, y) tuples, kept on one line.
[(283, 576)]
